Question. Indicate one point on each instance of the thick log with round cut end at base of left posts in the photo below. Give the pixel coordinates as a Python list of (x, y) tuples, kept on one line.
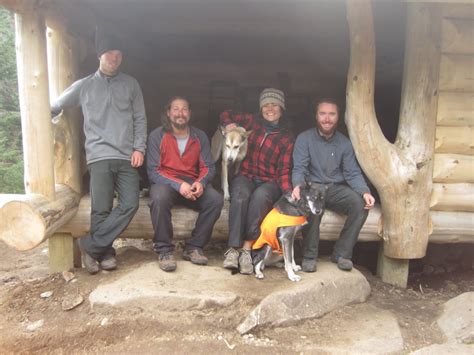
[(28, 221)]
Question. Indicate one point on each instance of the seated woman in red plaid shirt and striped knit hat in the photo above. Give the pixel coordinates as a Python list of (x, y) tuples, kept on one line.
[(264, 175)]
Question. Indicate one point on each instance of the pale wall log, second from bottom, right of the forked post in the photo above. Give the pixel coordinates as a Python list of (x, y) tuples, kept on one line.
[(452, 197)]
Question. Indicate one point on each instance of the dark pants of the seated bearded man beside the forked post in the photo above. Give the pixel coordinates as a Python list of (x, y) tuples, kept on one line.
[(343, 200)]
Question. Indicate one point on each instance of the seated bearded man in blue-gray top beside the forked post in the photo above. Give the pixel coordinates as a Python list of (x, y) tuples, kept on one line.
[(326, 156)]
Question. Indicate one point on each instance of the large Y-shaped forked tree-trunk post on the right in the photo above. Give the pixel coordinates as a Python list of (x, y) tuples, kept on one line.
[(401, 172)]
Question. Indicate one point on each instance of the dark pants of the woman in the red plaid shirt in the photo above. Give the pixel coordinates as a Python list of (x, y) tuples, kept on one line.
[(249, 204)]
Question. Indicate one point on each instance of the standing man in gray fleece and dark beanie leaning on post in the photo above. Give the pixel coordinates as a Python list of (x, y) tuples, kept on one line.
[(115, 132)]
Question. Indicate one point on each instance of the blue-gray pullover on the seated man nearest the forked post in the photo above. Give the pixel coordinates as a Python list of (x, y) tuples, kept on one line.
[(326, 161)]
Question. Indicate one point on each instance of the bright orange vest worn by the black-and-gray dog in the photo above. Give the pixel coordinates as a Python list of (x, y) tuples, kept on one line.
[(272, 221)]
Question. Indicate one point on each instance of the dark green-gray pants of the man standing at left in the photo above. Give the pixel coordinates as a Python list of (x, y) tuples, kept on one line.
[(106, 178)]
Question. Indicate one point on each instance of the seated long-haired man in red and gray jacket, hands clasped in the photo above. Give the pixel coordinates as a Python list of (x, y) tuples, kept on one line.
[(180, 169)]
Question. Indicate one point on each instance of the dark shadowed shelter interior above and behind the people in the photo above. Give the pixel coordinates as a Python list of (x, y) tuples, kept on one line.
[(221, 54)]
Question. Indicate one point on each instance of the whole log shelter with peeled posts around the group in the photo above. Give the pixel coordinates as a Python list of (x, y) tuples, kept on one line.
[(404, 70)]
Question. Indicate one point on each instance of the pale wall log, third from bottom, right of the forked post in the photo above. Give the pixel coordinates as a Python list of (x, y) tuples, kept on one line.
[(453, 168)]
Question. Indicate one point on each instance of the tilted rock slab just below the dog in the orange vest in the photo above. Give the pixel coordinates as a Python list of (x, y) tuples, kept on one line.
[(317, 294)]
